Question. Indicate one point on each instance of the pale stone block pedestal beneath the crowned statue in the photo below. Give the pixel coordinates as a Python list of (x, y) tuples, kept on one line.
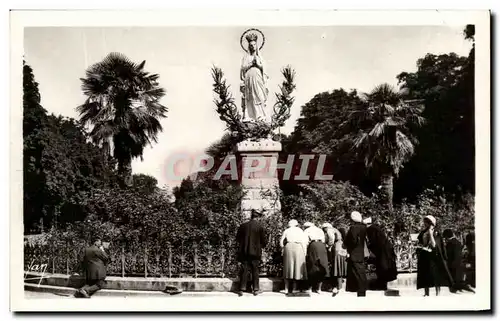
[(258, 176)]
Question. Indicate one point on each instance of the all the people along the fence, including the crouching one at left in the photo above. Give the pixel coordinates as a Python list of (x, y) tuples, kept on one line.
[(313, 254)]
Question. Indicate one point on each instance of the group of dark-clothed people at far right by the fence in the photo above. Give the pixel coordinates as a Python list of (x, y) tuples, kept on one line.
[(441, 259)]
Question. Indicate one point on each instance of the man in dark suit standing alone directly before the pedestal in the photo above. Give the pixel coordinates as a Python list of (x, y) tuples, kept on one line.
[(251, 238)]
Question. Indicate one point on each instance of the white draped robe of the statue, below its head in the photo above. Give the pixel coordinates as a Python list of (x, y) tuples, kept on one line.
[(255, 91)]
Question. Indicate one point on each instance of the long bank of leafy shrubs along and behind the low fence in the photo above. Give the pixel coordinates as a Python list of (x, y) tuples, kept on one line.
[(196, 234)]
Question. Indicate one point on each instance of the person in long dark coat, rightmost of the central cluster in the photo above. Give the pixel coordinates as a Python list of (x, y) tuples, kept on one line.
[(382, 249)]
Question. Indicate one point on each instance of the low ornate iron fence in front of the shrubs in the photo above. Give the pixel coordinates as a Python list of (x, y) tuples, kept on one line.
[(181, 259)]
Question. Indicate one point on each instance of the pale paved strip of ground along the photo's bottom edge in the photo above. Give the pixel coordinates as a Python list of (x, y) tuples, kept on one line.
[(403, 292)]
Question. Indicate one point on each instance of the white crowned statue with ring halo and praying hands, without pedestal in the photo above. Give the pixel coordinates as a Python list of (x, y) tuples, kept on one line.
[(253, 78)]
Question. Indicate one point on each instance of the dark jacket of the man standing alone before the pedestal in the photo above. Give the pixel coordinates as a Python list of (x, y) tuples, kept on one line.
[(251, 238)]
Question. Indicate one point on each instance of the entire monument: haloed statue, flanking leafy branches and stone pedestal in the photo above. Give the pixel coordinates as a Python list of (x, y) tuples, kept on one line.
[(253, 126)]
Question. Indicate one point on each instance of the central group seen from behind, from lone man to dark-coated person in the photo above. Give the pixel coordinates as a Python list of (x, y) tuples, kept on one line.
[(313, 254)]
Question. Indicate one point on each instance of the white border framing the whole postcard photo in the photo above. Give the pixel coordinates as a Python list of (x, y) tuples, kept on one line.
[(257, 18)]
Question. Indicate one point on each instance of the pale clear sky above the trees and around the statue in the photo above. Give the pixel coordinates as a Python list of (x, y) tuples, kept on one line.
[(324, 58)]
